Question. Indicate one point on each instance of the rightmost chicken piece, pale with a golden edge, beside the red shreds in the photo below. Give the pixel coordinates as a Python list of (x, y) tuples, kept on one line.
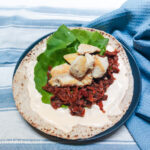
[(100, 66)]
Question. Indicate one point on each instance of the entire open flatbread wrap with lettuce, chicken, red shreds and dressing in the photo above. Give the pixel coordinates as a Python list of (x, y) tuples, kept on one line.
[(66, 85)]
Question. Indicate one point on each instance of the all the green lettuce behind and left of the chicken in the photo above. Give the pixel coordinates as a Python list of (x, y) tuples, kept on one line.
[(63, 41)]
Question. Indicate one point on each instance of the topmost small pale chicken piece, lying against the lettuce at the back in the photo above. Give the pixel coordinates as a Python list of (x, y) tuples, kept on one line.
[(86, 48)]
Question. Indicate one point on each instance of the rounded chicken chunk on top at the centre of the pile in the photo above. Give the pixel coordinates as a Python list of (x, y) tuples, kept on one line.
[(78, 67)]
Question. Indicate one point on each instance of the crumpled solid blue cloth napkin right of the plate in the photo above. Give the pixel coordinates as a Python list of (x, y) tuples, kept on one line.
[(130, 24)]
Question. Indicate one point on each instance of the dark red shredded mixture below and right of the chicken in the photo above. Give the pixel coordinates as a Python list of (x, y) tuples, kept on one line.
[(77, 98)]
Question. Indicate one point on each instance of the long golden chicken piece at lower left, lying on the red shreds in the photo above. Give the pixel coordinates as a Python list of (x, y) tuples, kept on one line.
[(66, 79)]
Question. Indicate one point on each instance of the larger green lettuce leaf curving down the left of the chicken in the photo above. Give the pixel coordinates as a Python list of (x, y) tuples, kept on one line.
[(57, 47)]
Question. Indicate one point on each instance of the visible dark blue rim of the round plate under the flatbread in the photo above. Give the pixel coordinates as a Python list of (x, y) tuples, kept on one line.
[(134, 102)]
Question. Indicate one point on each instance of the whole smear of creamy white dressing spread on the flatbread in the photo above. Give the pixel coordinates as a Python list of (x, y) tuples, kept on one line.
[(62, 119)]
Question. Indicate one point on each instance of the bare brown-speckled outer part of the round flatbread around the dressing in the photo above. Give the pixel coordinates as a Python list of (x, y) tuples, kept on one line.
[(22, 98)]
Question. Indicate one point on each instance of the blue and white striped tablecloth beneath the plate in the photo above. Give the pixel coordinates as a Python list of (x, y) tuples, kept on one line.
[(20, 26)]
